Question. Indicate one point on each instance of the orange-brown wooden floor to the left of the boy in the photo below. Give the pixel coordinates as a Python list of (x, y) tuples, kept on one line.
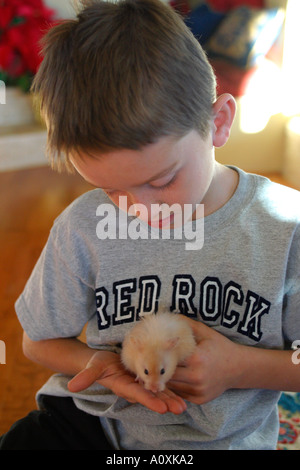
[(29, 202)]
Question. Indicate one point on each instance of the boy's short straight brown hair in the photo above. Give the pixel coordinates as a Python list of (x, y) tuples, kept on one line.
[(121, 75)]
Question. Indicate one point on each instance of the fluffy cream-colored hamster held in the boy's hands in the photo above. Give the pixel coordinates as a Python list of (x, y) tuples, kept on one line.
[(154, 346)]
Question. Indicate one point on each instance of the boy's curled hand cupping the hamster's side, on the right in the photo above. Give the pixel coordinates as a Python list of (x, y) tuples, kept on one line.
[(213, 367)]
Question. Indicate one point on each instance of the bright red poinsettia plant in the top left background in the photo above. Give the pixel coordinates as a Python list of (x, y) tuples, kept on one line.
[(22, 25)]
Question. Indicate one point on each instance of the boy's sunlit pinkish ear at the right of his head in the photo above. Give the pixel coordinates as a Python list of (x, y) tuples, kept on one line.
[(223, 115)]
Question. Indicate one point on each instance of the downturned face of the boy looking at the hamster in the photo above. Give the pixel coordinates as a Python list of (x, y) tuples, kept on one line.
[(172, 170)]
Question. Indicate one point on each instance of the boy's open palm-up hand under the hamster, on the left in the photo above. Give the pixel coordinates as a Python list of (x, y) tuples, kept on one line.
[(107, 369)]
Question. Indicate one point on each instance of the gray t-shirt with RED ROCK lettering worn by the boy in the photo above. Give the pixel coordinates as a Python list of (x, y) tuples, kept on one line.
[(243, 282)]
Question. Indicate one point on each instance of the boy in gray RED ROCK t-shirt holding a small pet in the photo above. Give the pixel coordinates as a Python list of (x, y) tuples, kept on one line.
[(129, 101)]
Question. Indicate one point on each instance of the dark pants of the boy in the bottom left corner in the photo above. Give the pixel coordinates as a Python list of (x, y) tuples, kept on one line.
[(59, 425)]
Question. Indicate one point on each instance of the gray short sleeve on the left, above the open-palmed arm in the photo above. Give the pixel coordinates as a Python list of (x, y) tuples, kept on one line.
[(58, 298)]
